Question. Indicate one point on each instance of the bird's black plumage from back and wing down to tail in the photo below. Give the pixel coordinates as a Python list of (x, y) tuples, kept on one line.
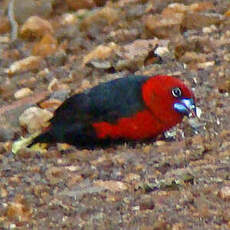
[(110, 101)]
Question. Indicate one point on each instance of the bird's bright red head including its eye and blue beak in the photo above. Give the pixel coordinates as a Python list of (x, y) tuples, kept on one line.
[(169, 99)]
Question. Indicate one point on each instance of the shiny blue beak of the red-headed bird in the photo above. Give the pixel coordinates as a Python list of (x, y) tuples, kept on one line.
[(186, 107)]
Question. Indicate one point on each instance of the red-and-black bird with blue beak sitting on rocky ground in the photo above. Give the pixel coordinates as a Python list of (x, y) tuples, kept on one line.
[(131, 108)]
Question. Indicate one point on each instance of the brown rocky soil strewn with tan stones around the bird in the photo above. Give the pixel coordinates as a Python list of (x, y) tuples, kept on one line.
[(50, 50)]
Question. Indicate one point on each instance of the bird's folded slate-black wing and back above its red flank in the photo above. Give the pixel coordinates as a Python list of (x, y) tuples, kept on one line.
[(106, 102)]
